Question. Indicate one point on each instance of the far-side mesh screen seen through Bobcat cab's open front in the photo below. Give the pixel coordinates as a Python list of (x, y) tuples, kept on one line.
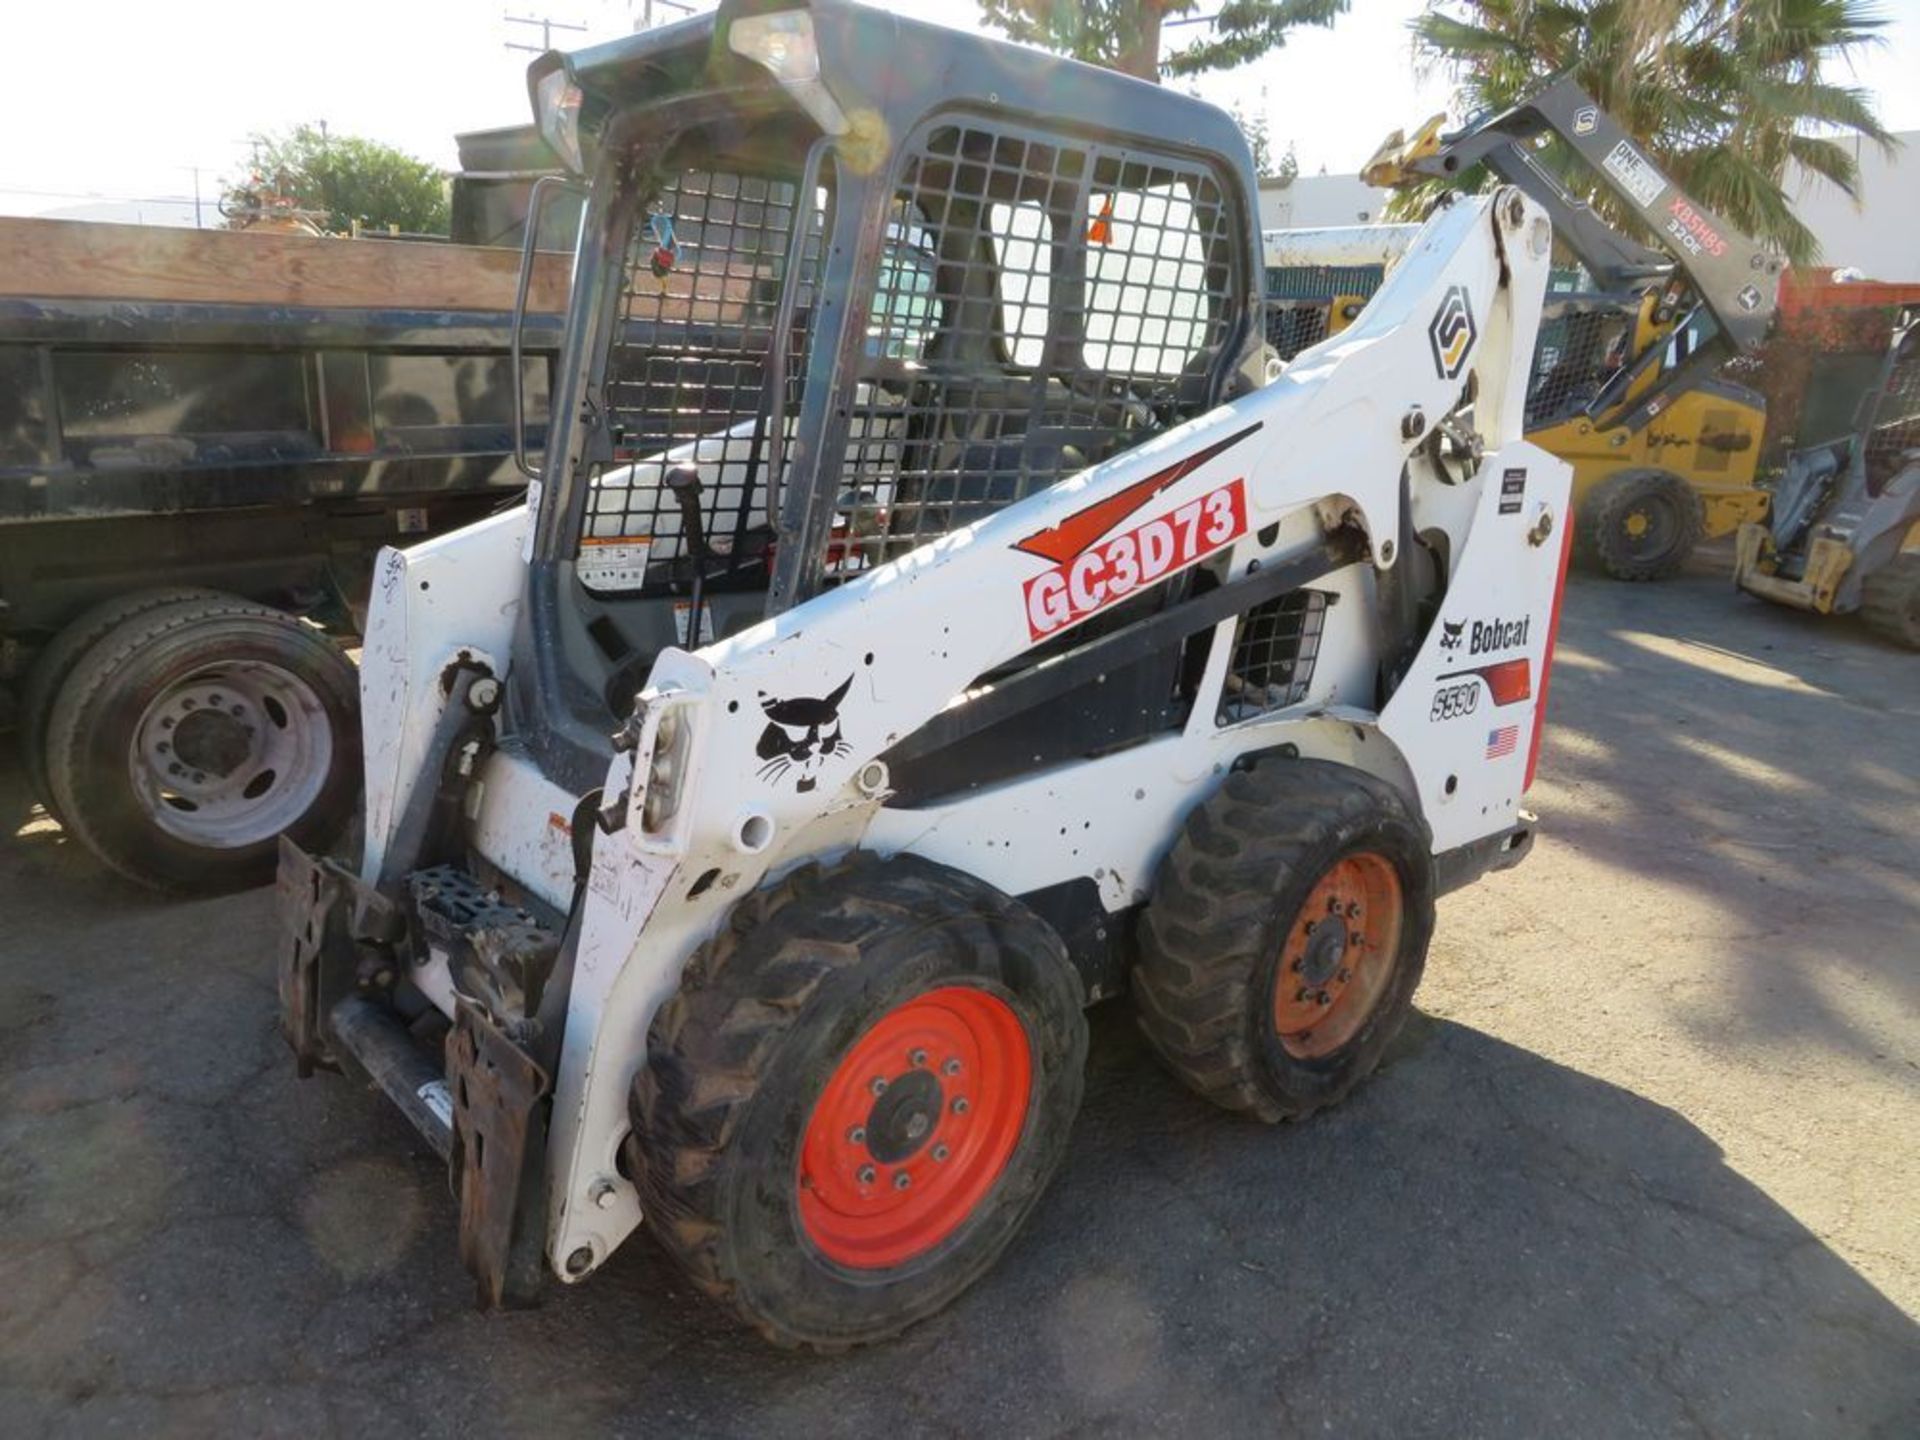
[(688, 379)]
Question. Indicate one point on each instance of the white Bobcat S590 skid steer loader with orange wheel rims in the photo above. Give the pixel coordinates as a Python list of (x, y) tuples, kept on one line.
[(932, 615)]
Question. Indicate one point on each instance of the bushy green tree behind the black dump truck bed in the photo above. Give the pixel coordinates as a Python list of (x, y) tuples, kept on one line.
[(348, 180)]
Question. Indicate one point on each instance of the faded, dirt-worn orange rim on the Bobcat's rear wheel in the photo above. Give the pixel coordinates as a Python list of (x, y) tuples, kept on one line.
[(1337, 957)]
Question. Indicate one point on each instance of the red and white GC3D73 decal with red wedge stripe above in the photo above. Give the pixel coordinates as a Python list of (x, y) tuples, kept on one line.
[(1092, 571)]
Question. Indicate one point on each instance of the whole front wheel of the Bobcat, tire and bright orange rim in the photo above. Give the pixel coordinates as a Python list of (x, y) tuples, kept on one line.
[(857, 1097)]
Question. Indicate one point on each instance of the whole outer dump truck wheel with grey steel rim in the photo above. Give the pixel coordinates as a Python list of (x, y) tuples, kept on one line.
[(191, 736)]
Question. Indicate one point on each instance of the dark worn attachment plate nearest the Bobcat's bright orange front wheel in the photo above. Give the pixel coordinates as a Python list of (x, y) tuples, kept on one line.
[(498, 1157)]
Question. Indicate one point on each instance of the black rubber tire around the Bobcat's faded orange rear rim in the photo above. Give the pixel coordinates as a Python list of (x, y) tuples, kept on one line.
[(1226, 909)]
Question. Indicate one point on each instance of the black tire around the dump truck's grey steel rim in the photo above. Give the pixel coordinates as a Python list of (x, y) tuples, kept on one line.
[(156, 654)]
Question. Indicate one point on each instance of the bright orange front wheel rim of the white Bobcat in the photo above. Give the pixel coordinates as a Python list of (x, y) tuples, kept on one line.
[(915, 1128)]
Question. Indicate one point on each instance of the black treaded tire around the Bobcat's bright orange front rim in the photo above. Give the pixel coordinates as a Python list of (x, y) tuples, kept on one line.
[(742, 1055)]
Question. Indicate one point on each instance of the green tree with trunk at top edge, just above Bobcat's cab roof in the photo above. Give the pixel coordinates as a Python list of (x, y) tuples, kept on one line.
[(1126, 36)]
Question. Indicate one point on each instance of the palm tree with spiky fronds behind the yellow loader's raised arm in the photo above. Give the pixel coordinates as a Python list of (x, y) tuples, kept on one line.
[(1725, 93)]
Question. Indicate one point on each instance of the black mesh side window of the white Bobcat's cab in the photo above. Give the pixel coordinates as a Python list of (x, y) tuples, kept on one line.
[(1084, 297)]
